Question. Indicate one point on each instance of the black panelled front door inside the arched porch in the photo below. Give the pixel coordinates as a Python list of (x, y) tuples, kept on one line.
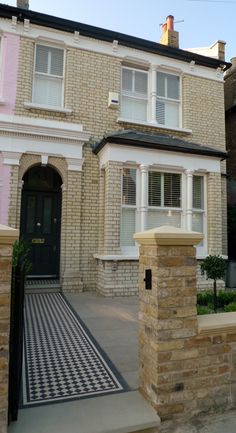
[(40, 226)]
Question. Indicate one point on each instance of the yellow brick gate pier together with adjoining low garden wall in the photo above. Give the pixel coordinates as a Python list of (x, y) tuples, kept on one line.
[(187, 364)]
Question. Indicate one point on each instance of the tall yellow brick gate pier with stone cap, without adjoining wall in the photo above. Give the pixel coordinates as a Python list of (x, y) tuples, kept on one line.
[(168, 319)]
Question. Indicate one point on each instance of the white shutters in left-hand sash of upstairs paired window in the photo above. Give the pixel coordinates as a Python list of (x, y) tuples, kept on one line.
[(134, 95)]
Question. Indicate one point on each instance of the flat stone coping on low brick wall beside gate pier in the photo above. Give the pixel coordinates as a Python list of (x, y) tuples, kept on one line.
[(217, 323)]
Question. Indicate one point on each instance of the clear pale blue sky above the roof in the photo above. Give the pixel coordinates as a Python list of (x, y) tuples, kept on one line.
[(204, 22)]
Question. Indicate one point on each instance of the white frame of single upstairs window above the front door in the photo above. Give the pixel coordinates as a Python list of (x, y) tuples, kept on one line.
[(49, 76)]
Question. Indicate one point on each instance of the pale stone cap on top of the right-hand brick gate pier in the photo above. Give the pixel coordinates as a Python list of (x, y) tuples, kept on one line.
[(168, 235)]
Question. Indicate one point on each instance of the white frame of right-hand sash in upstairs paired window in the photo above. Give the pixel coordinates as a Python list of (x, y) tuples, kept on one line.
[(177, 102)]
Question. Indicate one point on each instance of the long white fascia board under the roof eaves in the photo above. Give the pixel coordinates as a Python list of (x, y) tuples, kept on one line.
[(65, 39)]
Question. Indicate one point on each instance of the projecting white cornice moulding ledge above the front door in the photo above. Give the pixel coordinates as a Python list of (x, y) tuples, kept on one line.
[(19, 125)]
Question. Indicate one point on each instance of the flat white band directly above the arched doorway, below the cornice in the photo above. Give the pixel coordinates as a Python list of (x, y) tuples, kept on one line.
[(34, 145)]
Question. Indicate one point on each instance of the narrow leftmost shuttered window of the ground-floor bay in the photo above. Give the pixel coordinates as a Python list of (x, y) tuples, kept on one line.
[(128, 212)]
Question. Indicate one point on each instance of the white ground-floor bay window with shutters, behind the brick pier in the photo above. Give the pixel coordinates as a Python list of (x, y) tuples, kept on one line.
[(152, 198)]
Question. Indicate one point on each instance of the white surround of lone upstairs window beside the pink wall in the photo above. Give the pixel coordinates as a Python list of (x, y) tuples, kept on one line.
[(48, 76)]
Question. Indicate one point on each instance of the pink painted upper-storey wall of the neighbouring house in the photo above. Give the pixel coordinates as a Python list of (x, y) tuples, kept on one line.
[(10, 47)]
